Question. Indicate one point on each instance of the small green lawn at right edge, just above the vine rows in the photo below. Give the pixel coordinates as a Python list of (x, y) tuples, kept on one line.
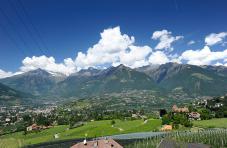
[(212, 123)]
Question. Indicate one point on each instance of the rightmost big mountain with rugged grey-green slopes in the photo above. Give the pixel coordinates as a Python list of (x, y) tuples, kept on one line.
[(194, 80)]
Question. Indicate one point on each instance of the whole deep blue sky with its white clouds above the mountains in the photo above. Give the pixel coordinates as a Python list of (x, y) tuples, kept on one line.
[(64, 36)]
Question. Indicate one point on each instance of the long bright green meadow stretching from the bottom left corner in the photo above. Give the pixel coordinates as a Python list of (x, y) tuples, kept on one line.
[(92, 129)]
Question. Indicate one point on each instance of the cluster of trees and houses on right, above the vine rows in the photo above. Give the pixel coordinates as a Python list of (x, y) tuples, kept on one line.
[(199, 110)]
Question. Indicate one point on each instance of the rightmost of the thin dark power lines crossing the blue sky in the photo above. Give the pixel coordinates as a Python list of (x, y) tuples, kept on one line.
[(33, 25)]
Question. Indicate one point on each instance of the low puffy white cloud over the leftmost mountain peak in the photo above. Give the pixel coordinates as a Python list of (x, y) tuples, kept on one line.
[(48, 64)]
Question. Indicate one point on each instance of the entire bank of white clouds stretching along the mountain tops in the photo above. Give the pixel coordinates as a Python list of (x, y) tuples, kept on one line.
[(114, 48)]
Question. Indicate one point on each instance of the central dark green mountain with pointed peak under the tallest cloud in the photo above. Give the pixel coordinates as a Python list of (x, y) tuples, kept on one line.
[(113, 79)]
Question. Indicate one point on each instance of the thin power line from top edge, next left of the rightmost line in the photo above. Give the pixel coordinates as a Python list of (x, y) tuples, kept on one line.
[(27, 27)]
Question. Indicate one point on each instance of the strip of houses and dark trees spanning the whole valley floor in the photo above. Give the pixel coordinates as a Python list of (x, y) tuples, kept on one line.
[(25, 118)]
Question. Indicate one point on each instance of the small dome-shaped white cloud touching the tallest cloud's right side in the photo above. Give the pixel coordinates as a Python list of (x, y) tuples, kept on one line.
[(158, 57)]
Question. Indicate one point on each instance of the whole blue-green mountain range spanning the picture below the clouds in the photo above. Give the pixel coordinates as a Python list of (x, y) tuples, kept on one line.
[(192, 80)]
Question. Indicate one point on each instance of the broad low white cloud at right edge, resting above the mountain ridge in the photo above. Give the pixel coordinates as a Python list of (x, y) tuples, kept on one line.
[(203, 56)]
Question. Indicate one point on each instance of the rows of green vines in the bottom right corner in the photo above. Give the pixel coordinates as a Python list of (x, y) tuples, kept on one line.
[(214, 137)]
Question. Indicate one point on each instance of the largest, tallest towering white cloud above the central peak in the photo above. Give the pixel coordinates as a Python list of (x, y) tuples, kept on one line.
[(113, 48)]
